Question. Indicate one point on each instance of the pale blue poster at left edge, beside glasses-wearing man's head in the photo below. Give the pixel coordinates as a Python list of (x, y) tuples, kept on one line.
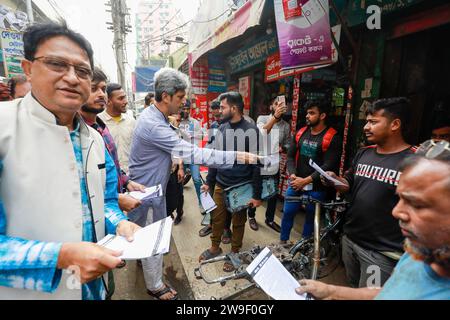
[(13, 52)]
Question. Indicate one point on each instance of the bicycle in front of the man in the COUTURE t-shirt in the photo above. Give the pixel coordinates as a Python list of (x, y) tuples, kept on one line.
[(314, 257)]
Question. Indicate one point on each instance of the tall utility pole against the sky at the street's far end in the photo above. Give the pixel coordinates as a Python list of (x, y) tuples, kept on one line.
[(120, 27)]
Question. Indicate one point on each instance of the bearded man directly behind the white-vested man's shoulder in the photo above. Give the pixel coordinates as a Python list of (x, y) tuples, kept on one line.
[(95, 105)]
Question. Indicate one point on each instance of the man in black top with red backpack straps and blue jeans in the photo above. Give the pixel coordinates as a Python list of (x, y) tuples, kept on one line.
[(318, 142)]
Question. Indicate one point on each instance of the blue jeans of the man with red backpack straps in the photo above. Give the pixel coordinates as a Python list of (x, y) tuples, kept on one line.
[(291, 209)]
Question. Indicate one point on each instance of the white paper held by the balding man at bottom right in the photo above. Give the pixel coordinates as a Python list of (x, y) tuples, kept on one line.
[(272, 277)]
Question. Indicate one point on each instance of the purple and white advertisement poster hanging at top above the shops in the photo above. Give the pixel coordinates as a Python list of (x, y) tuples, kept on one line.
[(303, 33)]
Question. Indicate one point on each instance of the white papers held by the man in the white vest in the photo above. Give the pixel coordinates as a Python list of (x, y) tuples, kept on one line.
[(149, 241)]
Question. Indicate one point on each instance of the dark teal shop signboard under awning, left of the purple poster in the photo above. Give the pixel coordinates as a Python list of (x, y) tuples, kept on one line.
[(253, 54)]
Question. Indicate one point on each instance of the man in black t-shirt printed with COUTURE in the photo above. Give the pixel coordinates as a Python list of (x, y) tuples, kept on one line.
[(372, 241)]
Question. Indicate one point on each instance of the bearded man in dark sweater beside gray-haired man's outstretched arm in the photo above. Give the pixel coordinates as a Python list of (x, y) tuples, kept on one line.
[(233, 129)]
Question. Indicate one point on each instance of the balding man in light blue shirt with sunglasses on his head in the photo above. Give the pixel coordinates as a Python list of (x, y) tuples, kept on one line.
[(423, 272)]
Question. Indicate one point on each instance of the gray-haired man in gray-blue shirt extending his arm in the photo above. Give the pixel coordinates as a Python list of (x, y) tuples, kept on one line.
[(155, 144)]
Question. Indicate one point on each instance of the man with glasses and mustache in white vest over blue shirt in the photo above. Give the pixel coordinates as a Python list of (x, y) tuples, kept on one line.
[(58, 184)]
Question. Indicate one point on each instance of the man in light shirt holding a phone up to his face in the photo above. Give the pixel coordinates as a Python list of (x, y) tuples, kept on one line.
[(278, 135)]
